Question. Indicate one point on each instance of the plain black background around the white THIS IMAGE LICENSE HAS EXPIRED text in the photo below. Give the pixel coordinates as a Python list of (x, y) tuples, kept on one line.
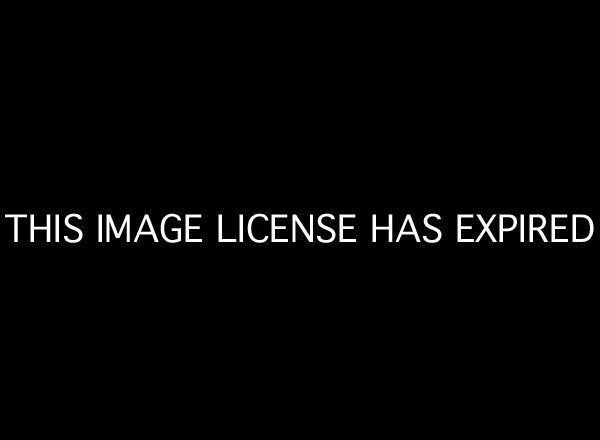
[(368, 113)]
